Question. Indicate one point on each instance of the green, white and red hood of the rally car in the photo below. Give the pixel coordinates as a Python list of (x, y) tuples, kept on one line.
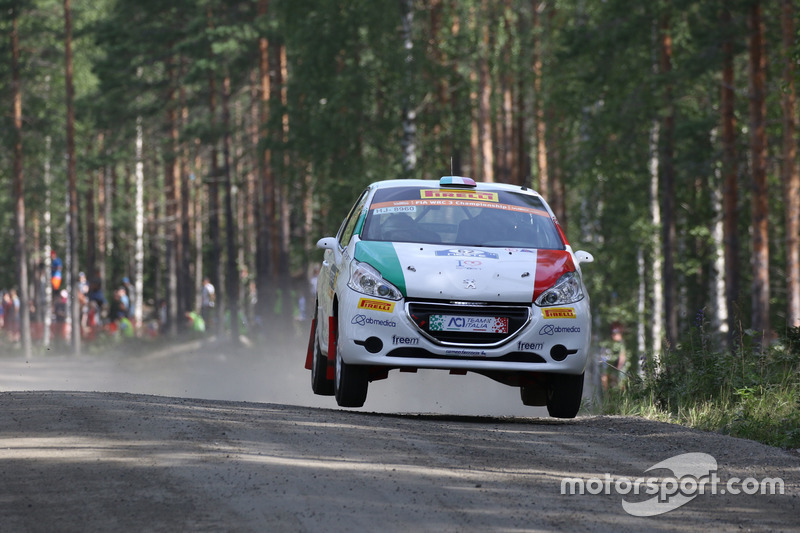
[(466, 273)]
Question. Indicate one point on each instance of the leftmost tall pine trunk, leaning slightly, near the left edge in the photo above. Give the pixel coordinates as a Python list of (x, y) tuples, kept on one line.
[(19, 195)]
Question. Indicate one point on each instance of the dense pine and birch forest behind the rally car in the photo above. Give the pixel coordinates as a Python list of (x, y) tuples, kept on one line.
[(168, 141)]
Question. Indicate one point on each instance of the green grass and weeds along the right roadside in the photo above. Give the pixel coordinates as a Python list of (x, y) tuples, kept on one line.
[(744, 393)]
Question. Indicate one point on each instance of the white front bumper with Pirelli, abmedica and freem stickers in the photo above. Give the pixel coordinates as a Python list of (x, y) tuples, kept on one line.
[(395, 334)]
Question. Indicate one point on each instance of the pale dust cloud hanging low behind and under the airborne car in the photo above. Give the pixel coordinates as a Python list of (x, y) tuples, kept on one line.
[(266, 370)]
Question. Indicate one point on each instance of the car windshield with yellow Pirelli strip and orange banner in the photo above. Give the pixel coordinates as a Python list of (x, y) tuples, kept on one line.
[(464, 217)]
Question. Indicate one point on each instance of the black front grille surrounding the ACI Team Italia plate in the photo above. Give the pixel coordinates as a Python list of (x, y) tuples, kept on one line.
[(420, 313)]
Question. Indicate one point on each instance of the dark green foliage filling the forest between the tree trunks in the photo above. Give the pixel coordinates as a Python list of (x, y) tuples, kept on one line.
[(349, 80)]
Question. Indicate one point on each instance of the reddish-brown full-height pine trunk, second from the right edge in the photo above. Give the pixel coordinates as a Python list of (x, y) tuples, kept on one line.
[(758, 153)]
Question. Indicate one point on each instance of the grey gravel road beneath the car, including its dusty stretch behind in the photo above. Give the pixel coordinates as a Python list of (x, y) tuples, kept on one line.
[(211, 439)]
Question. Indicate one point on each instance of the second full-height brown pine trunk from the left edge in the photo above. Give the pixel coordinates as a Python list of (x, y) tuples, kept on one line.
[(75, 309)]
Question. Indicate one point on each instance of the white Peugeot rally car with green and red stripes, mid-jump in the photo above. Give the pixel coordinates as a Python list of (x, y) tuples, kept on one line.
[(453, 275)]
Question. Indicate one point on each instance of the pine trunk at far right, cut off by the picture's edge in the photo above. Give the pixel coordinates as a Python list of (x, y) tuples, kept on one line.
[(790, 174)]
